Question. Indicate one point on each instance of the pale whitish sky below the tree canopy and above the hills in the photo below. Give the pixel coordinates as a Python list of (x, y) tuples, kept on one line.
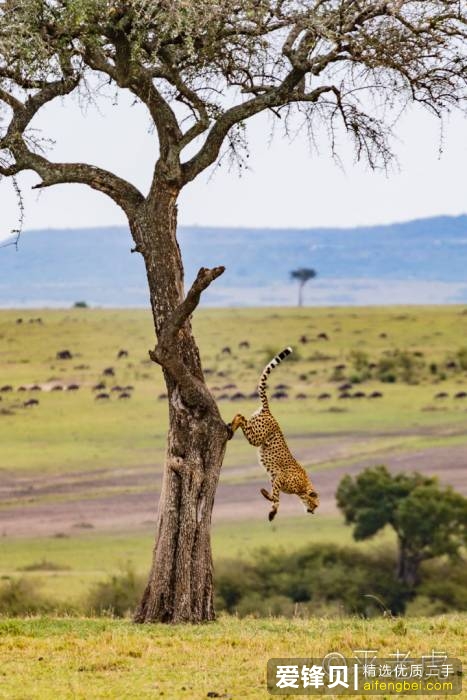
[(287, 185)]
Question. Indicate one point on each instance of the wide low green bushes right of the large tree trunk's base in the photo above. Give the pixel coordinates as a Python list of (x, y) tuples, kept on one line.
[(319, 577)]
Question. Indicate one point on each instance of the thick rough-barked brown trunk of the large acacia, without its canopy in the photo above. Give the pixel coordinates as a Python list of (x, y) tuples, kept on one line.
[(180, 585)]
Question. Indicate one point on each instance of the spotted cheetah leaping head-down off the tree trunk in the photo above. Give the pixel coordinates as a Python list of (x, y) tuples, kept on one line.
[(263, 431)]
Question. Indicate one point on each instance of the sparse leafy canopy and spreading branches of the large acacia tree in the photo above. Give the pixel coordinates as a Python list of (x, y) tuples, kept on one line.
[(202, 68)]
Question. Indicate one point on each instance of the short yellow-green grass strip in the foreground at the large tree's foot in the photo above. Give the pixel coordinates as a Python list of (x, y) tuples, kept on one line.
[(82, 659)]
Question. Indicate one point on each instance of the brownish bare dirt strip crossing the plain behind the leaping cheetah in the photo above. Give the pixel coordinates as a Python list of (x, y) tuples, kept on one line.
[(22, 516)]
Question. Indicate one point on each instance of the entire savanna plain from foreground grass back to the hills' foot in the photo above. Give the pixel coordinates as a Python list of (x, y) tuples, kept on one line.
[(80, 473)]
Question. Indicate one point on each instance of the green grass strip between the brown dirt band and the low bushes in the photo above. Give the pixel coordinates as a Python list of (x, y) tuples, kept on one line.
[(89, 557)]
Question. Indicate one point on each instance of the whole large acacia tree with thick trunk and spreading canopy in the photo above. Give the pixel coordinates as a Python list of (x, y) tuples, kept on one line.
[(202, 68)]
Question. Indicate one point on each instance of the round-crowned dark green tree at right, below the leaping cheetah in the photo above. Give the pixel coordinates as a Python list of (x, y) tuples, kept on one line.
[(429, 521)]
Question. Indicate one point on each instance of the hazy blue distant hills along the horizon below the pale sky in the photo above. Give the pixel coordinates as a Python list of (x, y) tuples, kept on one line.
[(423, 261)]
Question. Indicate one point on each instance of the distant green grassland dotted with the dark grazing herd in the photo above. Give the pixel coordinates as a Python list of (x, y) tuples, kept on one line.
[(71, 431)]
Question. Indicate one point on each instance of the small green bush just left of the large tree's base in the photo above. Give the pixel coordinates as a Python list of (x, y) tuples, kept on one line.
[(117, 596)]
